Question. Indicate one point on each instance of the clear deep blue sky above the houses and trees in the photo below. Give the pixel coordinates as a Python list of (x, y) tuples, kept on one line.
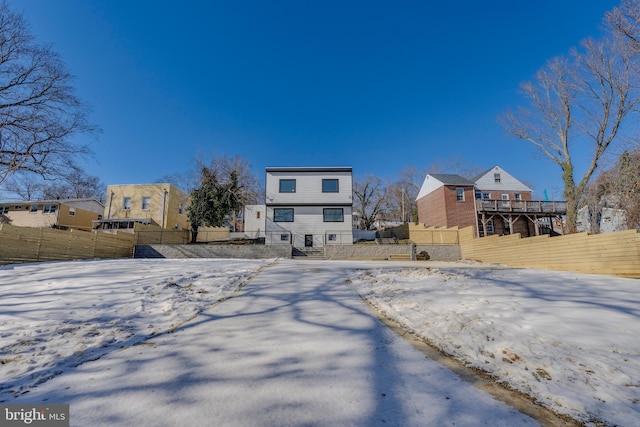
[(375, 85)]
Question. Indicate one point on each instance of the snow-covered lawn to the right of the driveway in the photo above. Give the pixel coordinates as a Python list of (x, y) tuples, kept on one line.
[(569, 340)]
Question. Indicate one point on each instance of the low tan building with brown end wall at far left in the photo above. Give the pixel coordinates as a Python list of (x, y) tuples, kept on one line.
[(64, 214)]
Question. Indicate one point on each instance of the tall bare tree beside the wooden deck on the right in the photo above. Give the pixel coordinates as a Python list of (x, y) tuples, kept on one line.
[(578, 104)]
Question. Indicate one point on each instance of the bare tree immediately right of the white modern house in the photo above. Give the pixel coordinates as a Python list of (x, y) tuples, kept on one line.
[(369, 199)]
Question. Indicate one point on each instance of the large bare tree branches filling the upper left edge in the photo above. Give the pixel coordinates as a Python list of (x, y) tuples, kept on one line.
[(39, 112)]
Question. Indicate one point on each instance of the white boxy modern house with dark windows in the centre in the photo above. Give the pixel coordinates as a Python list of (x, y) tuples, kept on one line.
[(308, 206)]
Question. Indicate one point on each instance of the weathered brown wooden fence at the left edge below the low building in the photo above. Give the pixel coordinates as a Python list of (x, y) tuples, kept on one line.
[(24, 244)]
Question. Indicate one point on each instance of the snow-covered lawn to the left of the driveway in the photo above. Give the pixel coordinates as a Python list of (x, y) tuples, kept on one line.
[(54, 316)]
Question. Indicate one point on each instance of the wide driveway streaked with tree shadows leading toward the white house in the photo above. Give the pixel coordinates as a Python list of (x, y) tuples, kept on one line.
[(295, 347)]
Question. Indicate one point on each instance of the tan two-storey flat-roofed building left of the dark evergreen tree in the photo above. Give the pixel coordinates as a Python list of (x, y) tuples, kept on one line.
[(163, 205)]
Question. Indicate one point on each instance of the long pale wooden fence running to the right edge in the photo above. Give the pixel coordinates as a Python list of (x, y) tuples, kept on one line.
[(615, 254)]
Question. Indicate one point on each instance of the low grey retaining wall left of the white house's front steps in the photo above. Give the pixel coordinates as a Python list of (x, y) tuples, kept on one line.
[(213, 251)]
